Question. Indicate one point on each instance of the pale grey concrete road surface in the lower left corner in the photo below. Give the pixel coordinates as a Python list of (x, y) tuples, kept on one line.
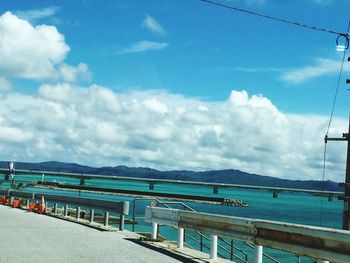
[(28, 237)]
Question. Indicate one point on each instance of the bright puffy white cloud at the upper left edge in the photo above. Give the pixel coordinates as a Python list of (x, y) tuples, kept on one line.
[(34, 52)]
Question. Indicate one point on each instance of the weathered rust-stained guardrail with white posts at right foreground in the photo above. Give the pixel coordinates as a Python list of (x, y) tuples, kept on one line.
[(314, 242)]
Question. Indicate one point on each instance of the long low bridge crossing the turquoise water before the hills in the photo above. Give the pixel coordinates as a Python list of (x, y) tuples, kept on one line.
[(152, 182)]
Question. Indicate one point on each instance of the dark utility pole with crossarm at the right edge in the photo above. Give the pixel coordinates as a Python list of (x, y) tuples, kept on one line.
[(346, 198)]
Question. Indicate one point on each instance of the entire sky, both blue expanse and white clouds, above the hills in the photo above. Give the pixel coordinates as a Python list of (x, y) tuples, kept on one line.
[(174, 85)]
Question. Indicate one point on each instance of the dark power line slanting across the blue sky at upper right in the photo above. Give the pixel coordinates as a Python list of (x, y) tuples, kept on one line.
[(282, 20)]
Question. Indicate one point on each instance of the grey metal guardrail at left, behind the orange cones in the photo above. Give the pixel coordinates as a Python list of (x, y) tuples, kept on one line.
[(120, 207)]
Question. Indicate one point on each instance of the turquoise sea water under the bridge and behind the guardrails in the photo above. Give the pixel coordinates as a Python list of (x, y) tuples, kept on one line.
[(288, 207)]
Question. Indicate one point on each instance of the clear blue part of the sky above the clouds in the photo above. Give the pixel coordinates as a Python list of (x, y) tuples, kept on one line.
[(209, 50)]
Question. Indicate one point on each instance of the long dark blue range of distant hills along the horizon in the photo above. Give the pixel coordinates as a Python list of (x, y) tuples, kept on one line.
[(229, 176)]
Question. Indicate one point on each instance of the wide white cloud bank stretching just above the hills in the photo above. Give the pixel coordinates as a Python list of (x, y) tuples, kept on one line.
[(96, 126)]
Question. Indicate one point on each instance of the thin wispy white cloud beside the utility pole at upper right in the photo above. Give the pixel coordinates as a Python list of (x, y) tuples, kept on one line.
[(322, 67)]
